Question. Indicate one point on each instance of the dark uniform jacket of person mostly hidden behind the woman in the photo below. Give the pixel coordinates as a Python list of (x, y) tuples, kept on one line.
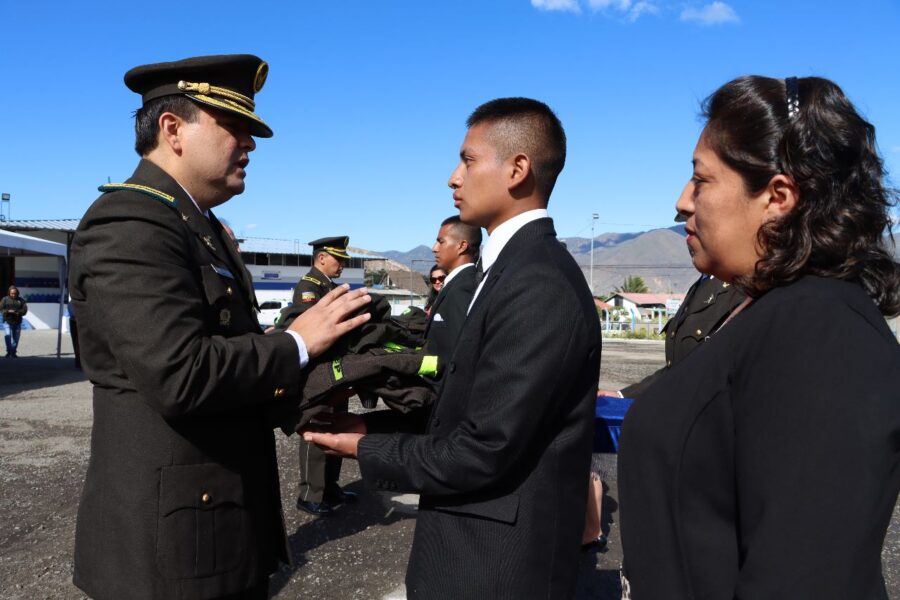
[(706, 306)]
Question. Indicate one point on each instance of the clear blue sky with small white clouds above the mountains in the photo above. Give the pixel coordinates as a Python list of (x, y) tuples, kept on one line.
[(368, 99)]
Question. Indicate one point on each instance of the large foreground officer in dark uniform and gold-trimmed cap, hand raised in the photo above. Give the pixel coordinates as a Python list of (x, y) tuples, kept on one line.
[(181, 496)]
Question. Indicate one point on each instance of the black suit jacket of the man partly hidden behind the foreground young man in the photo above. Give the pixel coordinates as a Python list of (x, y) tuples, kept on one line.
[(448, 313)]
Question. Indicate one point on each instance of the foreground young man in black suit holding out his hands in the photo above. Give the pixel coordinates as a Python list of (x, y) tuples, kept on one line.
[(501, 466)]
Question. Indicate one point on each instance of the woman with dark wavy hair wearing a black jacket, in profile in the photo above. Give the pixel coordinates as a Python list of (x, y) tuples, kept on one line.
[(735, 466)]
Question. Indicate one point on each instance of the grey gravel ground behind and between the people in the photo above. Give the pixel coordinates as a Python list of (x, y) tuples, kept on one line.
[(359, 553)]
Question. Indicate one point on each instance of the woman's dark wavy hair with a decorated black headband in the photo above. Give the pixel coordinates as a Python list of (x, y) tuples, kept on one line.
[(841, 222)]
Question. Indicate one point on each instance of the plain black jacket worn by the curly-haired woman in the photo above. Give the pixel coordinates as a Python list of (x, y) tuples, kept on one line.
[(738, 466)]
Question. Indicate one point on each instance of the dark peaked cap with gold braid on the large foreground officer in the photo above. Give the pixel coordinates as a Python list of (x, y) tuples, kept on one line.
[(226, 82)]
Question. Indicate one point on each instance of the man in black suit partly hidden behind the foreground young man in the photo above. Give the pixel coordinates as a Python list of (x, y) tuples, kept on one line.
[(455, 251)]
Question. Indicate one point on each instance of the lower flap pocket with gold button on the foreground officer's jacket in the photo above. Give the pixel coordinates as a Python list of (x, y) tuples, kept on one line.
[(201, 529)]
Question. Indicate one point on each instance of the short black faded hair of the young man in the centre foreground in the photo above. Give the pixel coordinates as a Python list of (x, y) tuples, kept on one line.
[(527, 126)]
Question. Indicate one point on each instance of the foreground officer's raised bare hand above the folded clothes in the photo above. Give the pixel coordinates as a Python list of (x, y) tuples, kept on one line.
[(329, 319)]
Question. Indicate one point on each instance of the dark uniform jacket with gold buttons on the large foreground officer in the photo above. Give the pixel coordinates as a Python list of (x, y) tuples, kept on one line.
[(181, 496)]
